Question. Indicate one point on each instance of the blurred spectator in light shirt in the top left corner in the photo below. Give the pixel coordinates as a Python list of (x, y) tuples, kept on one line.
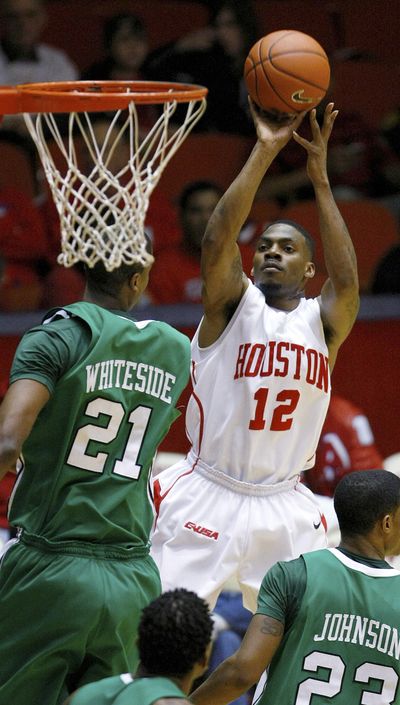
[(23, 58)]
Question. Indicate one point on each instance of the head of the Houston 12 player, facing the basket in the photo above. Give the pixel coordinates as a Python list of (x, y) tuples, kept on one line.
[(283, 258)]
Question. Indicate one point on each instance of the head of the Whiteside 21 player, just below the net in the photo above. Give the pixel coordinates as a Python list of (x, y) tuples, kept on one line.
[(125, 284)]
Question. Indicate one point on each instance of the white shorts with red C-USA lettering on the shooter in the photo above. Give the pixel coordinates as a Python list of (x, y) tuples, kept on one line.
[(210, 528)]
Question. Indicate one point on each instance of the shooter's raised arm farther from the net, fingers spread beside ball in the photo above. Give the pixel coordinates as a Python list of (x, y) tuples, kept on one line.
[(339, 298)]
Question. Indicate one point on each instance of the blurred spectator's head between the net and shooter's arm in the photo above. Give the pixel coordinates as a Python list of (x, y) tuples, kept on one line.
[(196, 205)]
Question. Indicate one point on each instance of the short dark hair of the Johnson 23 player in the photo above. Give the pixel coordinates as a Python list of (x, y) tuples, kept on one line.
[(363, 497)]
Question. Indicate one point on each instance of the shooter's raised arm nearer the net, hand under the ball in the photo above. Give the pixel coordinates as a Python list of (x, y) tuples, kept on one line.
[(223, 281)]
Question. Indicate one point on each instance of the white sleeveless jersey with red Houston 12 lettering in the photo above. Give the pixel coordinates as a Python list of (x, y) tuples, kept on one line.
[(260, 392)]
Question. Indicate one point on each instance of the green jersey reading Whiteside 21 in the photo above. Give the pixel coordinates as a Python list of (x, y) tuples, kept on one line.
[(87, 459)]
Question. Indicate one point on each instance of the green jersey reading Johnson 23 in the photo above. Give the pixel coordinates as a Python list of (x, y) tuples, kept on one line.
[(343, 647)]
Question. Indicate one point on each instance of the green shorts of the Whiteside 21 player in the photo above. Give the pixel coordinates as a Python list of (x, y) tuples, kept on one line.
[(68, 618)]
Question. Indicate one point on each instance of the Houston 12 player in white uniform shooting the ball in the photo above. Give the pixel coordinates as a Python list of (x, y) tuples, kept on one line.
[(261, 363)]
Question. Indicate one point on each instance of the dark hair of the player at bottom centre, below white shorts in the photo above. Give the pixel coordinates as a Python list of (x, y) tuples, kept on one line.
[(174, 632)]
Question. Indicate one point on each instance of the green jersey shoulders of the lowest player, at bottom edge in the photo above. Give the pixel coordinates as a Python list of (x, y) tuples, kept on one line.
[(126, 690)]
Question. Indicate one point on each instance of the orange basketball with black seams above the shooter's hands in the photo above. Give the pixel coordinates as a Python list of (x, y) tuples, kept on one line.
[(287, 71)]
